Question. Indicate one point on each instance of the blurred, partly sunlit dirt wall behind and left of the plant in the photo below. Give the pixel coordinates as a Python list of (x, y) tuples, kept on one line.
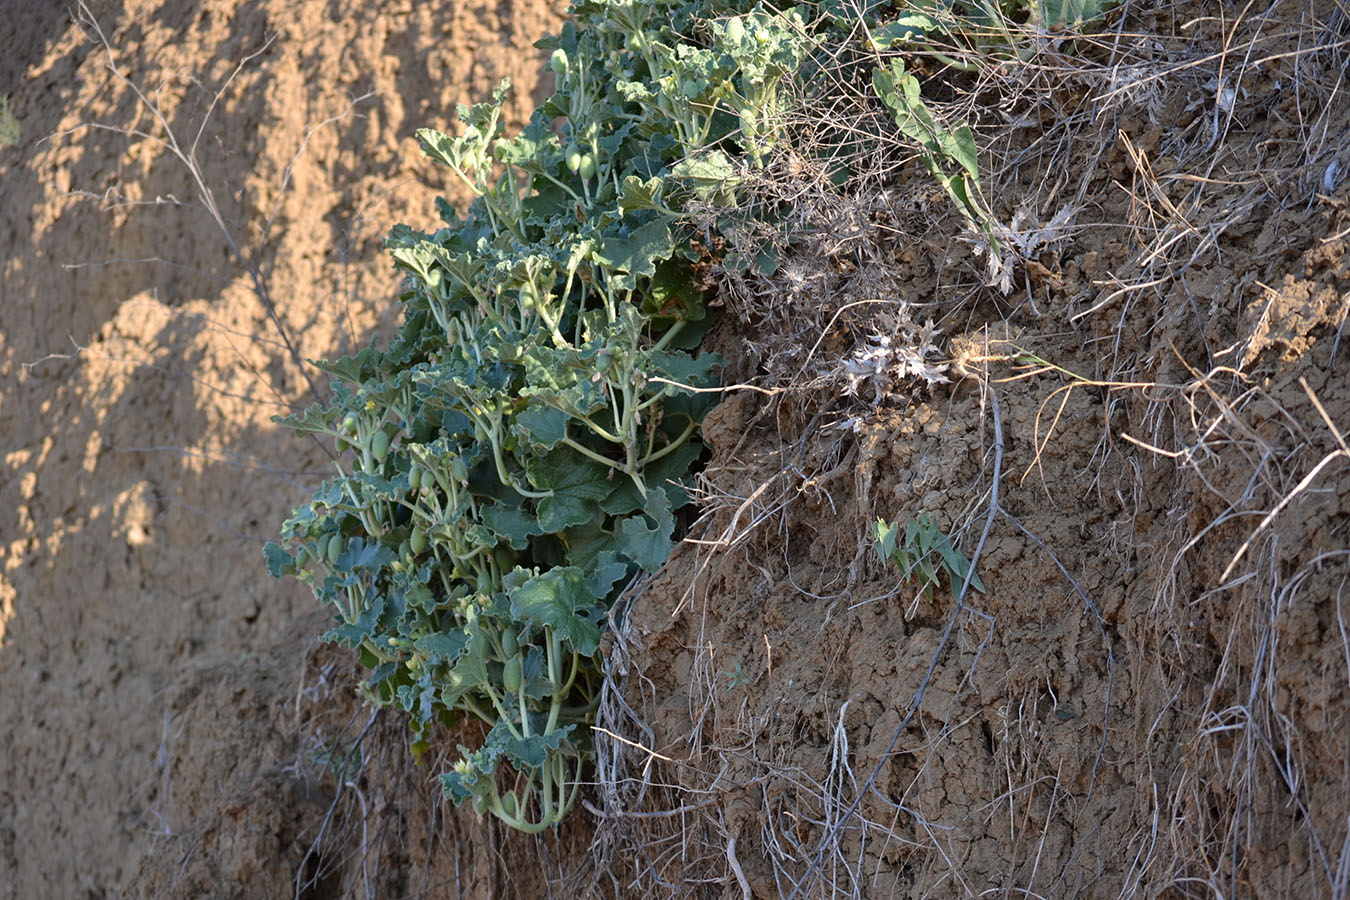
[(149, 674)]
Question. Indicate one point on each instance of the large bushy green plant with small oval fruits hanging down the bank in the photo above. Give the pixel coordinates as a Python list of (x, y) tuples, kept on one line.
[(516, 455)]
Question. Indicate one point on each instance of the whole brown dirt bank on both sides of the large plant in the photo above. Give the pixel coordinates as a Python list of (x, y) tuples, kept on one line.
[(1141, 446)]
